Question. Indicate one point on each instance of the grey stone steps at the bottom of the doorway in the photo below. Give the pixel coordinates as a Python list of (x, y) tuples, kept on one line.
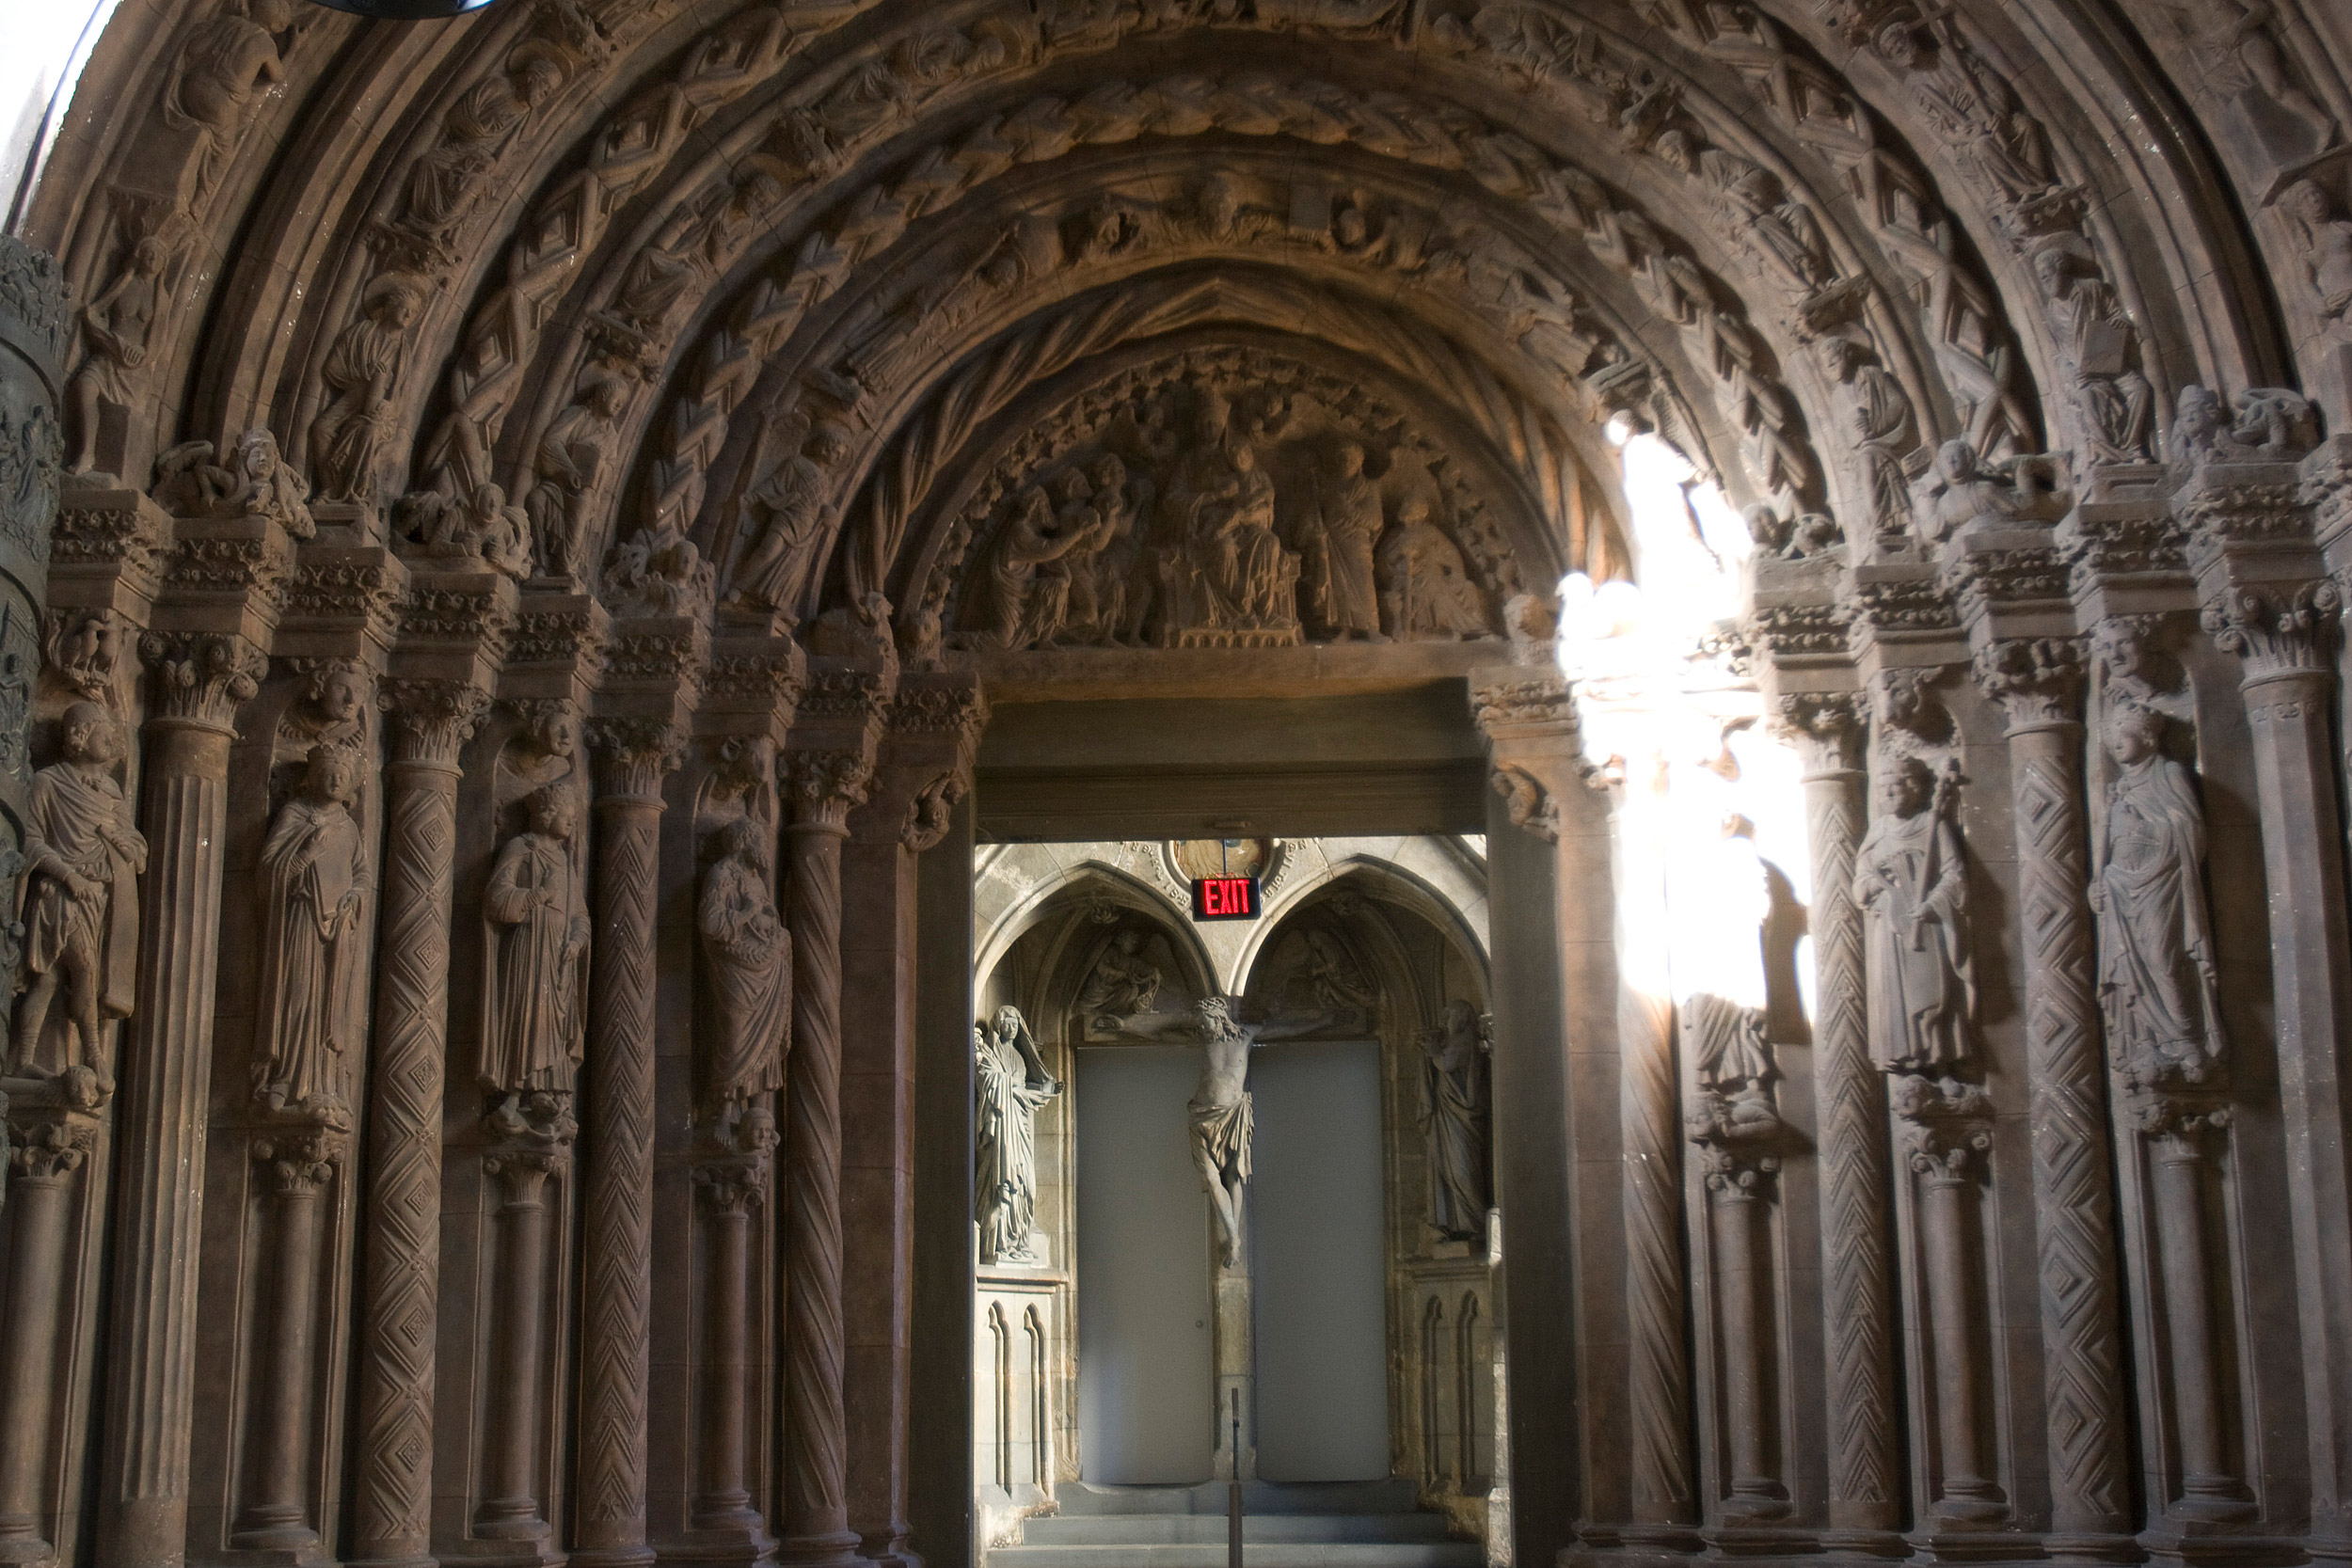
[(1285, 1527)]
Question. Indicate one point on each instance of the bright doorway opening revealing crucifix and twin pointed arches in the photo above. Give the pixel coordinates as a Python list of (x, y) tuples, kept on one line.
[(1234, 1195)]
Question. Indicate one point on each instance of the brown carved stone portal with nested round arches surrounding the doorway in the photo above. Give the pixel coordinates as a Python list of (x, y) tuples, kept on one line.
[(547, 558)]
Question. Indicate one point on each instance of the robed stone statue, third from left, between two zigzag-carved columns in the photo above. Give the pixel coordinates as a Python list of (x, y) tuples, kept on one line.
[(533, 996)]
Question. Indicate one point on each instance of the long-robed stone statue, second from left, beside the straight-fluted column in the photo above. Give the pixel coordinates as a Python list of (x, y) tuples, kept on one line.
[(314, 956)]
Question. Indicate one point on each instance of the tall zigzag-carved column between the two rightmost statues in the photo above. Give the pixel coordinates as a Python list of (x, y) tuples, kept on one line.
[(2083, 1351)]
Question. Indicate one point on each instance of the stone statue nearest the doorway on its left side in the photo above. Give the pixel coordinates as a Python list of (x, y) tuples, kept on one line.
[(749, 956)]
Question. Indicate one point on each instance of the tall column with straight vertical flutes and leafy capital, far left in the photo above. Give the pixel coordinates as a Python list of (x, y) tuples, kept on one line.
[(161, 1115)]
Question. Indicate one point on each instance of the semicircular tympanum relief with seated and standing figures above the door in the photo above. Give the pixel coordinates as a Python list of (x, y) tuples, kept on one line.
[(1224, 502)]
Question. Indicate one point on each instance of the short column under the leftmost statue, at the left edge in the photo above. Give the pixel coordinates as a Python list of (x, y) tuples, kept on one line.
[(41, 1193)]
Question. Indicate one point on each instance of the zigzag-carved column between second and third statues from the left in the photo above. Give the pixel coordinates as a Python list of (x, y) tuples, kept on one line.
[(394, 1477)]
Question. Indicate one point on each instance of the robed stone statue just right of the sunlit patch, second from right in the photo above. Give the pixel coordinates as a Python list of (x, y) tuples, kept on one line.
[(1913, 887)]
